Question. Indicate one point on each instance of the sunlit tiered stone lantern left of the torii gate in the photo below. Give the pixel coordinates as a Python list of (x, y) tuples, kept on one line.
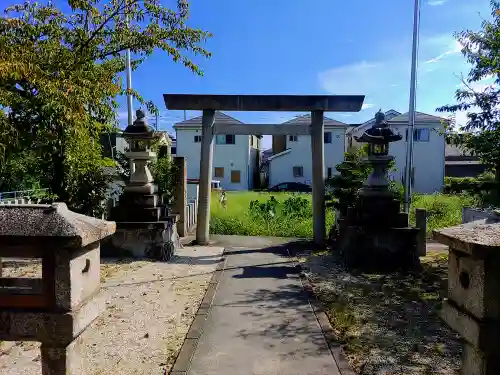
[(143, 226)]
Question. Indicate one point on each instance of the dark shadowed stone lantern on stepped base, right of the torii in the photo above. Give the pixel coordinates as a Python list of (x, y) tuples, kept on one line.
[(375, 234)]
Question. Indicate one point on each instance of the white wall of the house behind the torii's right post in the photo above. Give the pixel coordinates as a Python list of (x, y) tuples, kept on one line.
[(281, 167)]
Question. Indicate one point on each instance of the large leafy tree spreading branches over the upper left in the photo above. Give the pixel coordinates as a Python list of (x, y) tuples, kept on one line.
[(60, 78)]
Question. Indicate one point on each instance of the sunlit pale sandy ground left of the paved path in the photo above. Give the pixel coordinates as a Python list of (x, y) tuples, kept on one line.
[(149, 308)]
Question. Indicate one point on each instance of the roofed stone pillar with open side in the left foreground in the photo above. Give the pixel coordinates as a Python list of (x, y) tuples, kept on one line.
[(57, 308)]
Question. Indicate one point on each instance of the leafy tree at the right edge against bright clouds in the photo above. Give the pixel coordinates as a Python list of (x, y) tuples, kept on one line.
[(481, 133)]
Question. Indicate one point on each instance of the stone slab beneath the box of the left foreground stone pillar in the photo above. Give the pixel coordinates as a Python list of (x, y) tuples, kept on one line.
[(52, 328)]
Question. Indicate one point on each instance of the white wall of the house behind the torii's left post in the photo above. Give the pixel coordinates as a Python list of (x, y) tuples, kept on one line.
[(229, 157)]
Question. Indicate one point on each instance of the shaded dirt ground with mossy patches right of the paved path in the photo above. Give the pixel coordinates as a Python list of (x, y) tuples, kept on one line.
[(388, 324)]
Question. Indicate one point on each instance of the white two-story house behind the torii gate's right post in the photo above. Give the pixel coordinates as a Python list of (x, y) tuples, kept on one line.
[(292, 158)]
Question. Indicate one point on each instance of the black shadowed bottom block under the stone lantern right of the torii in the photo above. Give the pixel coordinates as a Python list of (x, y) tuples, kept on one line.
[(379, 250)]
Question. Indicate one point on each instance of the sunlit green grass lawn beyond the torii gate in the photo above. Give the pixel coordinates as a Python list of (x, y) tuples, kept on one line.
[(236, 218)]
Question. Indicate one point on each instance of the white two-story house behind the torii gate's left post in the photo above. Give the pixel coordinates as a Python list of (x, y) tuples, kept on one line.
[(235, 157)]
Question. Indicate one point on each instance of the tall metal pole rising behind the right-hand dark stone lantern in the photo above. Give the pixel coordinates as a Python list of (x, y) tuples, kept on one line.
[(411, 112)]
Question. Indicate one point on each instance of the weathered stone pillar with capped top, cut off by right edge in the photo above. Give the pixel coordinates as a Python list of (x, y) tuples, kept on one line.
[(473, 305)]
